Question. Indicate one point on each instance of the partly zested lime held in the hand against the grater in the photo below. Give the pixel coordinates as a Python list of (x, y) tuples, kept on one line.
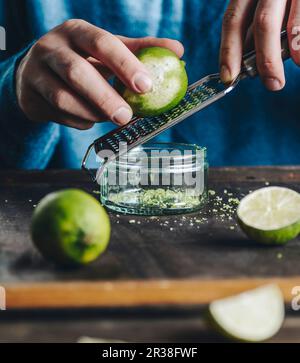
[(170, 83)]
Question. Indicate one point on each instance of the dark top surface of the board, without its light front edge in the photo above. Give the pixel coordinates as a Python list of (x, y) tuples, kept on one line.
[(148, 248)]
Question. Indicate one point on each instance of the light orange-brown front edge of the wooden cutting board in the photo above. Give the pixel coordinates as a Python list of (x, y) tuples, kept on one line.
[(135, 293)]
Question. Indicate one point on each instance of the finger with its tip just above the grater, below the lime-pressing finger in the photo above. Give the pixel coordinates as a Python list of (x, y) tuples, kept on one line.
[(84, 79)]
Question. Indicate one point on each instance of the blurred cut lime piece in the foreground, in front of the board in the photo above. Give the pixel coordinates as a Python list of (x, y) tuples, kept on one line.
[(253, 316)]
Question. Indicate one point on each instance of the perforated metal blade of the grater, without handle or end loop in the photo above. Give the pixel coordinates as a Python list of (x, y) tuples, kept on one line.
[(139, 130)]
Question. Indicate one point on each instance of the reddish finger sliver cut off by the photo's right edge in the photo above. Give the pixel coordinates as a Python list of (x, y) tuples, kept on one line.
[(294, 31)]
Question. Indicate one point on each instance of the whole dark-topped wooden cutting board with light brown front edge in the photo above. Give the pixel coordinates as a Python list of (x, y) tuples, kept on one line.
[(189, 259)]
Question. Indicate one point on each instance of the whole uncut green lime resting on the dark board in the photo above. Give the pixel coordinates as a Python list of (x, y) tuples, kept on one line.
[(70, 227)]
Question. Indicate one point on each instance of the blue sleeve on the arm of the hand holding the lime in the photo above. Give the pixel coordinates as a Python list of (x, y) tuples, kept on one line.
[(23, 143)]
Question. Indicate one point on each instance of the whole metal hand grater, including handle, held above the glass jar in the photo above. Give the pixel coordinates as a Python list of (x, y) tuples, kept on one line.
[(199, 95)]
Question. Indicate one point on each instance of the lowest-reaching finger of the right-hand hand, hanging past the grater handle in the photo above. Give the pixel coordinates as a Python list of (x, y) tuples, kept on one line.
[(268, 22)]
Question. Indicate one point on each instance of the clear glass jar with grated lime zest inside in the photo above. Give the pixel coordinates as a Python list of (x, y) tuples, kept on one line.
[(156, 179)]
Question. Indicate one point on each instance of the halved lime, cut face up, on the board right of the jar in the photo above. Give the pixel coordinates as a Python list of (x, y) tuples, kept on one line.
[(270, 215)]
